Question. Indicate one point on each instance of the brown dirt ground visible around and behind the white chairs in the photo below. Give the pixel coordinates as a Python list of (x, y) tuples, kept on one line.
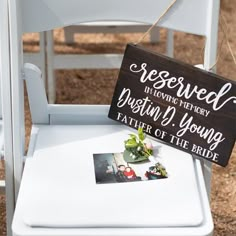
[(74, 86)]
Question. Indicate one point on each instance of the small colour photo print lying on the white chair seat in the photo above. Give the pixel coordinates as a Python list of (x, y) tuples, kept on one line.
[(112, 168)]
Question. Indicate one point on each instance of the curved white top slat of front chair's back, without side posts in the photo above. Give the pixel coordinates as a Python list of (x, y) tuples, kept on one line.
[(64, 14)]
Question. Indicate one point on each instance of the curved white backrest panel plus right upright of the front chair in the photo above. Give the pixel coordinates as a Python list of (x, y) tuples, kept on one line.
[(196, 17)]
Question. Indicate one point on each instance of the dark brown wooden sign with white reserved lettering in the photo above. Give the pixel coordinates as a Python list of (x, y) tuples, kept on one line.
[(186, 107)]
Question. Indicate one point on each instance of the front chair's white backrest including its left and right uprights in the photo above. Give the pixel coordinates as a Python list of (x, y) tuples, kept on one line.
[(191, 16)]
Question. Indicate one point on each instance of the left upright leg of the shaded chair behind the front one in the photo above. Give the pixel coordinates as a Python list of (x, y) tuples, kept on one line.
[(50, 68)]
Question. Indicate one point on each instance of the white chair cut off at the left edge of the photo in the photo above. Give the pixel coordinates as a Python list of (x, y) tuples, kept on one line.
[(6, 186)]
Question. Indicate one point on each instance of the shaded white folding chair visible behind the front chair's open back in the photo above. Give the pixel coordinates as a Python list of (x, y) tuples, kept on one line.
[(94, 61)]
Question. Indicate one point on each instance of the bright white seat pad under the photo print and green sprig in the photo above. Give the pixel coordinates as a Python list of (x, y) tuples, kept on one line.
[(59, 186)]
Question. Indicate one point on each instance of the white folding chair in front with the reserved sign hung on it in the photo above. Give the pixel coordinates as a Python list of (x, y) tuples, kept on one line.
[(64, 137)]
